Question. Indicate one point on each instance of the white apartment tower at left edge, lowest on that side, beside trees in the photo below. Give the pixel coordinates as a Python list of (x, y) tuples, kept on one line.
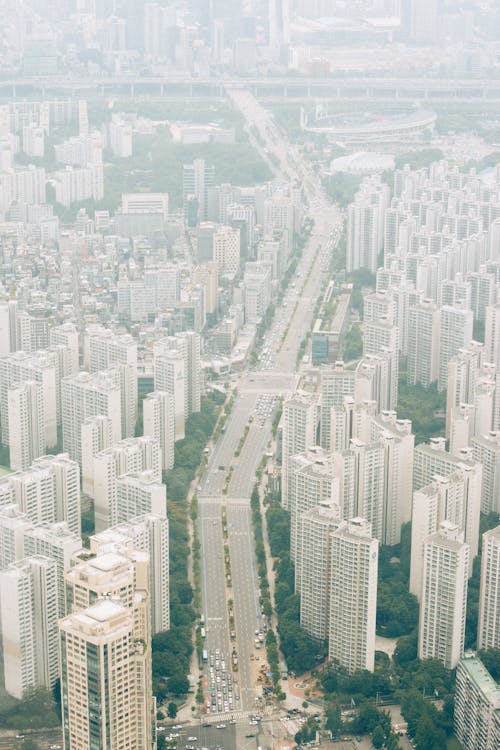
[(29, 606)]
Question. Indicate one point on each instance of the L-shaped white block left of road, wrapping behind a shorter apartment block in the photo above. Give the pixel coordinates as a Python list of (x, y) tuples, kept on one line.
[(132, 455)]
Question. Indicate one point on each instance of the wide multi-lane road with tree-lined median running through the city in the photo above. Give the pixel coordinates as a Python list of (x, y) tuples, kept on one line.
[(230, 586)]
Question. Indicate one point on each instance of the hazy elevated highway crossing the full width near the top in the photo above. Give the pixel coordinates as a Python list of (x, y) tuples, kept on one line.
[(291, 88)]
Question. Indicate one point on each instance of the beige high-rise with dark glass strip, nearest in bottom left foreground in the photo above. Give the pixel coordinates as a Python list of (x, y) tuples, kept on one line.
[(106, 675)]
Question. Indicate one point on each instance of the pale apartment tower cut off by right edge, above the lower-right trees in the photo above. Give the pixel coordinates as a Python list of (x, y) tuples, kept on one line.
[(488, 627)]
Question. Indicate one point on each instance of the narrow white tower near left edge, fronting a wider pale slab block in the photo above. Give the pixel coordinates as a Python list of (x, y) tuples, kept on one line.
[(26, 411)]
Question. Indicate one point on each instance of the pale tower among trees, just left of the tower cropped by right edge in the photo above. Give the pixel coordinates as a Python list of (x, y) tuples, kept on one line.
[(441, 628)]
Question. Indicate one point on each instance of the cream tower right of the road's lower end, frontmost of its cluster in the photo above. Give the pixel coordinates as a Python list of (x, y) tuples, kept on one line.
[(353, 596)]
